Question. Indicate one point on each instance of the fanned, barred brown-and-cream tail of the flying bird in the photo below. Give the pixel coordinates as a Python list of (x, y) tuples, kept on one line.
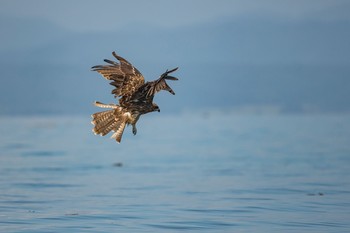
[(106, 121)]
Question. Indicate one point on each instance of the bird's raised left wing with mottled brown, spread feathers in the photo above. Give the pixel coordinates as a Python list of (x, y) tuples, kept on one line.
[(124, 76)]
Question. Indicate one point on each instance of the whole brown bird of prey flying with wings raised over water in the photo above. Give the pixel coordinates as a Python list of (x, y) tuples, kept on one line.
[(135, 97)]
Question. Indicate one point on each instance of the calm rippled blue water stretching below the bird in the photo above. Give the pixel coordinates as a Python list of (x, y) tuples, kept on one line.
[(204, 173)]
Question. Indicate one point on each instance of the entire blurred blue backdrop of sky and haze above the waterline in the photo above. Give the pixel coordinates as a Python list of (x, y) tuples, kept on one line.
[(292, 55)]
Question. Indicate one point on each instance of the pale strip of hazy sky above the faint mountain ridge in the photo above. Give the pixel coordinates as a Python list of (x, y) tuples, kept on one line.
[(89, 15)]
